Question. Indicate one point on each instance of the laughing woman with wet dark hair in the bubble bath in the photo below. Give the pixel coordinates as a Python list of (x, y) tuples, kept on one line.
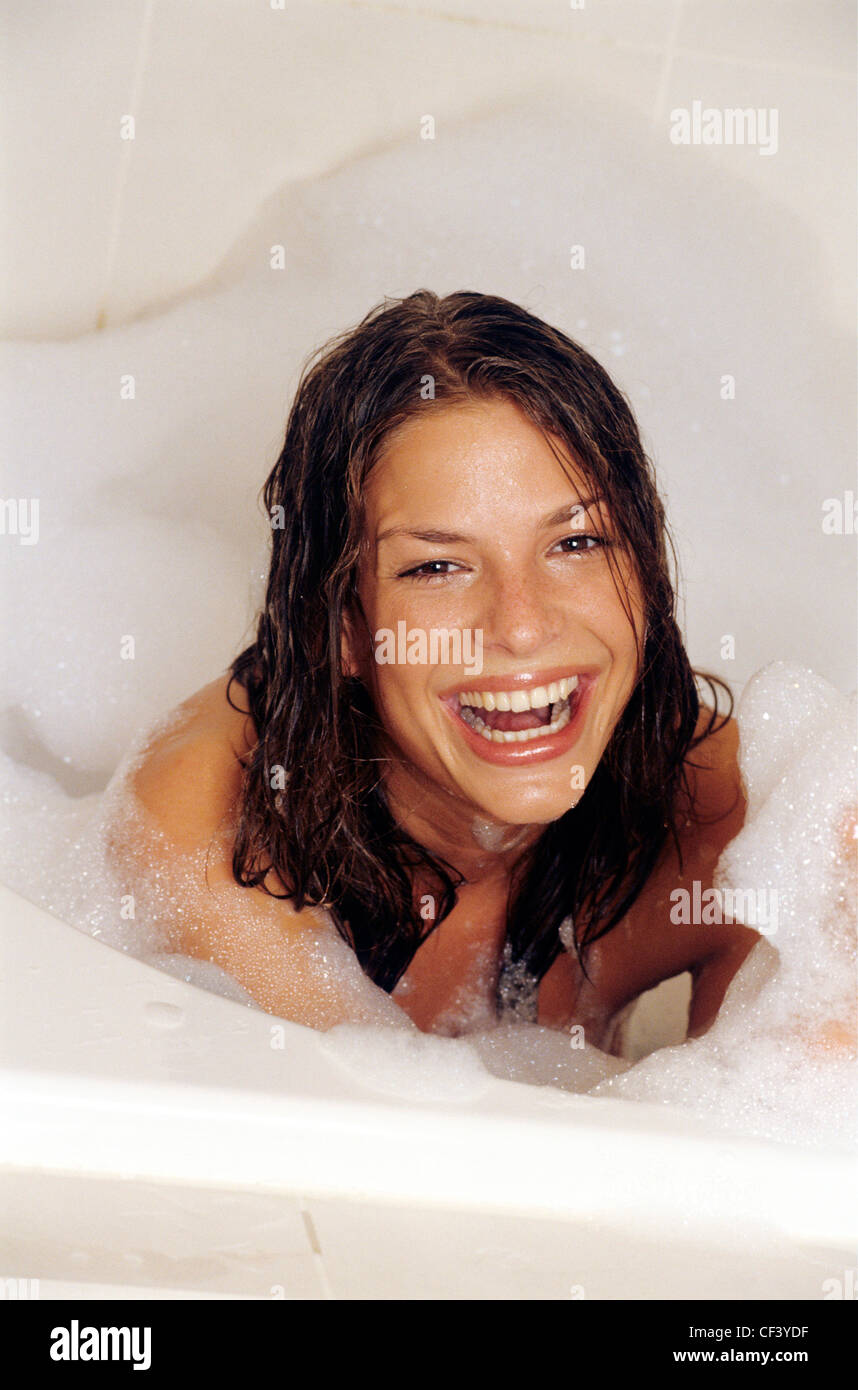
[(467, 737)]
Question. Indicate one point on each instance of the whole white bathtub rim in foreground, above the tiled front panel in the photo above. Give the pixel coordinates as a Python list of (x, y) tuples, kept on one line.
[(88, 1088)]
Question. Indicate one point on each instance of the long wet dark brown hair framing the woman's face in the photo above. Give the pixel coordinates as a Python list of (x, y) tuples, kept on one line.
[(314, 806)]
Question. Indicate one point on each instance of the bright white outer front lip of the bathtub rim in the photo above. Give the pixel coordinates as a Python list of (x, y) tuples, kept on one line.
[(373, 1152)]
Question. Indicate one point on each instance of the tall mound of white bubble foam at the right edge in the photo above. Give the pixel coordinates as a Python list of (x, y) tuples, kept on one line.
[(781, 1060)]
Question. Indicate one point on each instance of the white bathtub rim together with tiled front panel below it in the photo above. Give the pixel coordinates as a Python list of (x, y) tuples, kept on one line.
[(158, 1146)]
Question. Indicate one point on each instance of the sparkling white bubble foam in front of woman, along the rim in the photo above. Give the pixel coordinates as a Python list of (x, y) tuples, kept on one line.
[(781, 1060)]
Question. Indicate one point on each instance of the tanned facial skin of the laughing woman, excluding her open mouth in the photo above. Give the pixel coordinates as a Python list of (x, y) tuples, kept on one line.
[(485, 472)]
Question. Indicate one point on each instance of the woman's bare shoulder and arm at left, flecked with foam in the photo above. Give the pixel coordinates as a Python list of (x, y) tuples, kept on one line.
[(190, 780)]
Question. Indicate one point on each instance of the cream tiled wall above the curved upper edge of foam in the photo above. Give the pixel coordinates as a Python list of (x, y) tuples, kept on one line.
[(236, 98)]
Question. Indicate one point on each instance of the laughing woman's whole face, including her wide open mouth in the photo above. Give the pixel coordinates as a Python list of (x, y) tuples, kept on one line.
[(500, 655)]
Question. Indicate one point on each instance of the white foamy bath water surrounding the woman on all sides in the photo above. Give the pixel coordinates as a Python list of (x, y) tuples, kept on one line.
[(147, 447)]
